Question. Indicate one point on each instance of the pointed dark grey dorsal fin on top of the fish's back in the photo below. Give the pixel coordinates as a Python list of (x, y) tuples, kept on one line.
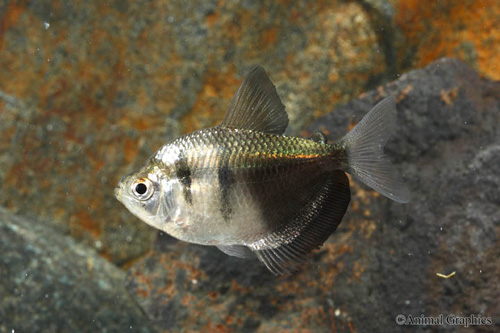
[(257, 106)]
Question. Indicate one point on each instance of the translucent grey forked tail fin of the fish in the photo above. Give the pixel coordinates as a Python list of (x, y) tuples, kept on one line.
[(365, 157)]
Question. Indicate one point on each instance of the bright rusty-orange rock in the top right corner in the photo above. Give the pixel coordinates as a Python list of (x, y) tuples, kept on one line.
[(469, 30)]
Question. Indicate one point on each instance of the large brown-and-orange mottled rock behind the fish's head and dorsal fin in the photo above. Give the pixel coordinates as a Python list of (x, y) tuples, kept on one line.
[(88, 90)]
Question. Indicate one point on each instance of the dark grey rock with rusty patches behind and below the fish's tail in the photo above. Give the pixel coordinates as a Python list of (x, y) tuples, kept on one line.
[(383, 259)]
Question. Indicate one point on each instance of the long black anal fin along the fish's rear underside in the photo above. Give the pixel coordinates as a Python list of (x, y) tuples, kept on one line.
[(286, 249)]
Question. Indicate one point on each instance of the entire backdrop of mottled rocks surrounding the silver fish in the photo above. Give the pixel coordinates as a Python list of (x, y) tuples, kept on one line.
[(90, 89)]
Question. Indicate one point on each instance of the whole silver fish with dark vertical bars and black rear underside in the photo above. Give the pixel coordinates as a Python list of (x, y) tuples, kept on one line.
[(246, 188)]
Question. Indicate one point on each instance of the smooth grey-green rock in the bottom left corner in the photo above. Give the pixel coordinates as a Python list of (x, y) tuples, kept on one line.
[(48, 283)]
